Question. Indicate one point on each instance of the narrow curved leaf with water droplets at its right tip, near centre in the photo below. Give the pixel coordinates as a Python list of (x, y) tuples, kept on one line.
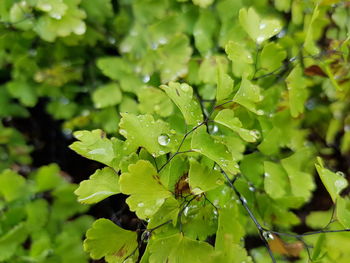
[(226, 117)]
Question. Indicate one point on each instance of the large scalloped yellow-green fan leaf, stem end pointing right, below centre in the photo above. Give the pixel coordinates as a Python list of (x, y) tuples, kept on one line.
[(146, 192)]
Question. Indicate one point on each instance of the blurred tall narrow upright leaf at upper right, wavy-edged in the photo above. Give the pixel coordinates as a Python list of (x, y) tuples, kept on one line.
[(297, 91)]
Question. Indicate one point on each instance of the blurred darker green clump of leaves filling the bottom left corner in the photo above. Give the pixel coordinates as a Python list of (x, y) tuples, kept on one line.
[(40, 221)]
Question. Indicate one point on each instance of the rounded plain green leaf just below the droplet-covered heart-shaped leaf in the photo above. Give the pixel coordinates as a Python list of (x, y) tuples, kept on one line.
[(272, 57)]
